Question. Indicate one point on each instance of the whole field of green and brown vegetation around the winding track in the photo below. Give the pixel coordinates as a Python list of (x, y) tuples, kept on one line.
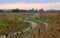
[(47, 25)]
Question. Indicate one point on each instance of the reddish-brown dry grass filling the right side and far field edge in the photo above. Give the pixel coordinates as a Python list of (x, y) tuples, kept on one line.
[(50, 32)]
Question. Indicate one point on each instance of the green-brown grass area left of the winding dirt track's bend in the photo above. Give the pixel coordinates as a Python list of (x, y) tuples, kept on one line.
[(11, 23)]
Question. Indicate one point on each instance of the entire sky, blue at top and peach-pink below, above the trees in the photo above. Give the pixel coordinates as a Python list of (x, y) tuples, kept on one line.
[(28, 4)]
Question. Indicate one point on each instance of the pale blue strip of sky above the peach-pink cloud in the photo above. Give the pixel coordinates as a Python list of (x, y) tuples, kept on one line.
[(28, 1)]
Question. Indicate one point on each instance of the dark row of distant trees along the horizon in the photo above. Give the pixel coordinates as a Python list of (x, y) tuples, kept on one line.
[(30, 10)]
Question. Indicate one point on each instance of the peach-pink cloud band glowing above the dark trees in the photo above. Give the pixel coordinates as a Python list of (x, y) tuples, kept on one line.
[(22, 5)]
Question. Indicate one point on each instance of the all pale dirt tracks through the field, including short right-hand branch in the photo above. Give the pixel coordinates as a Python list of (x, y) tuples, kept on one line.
[(33, 25)]
